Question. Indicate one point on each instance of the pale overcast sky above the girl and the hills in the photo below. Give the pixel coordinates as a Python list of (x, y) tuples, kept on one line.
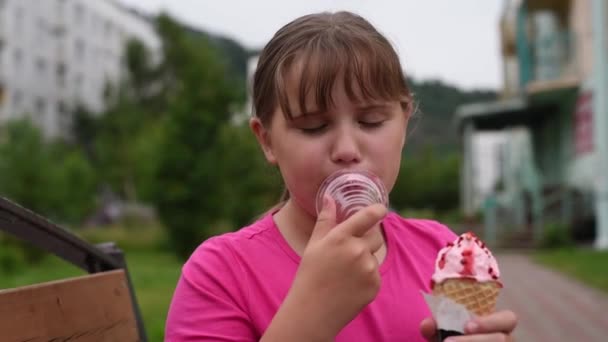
[(455, 41)]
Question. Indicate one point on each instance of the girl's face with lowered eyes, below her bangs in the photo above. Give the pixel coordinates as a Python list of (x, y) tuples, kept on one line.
[(353, 136)]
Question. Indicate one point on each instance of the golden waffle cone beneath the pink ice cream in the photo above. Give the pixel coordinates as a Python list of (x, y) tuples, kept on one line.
[(478, 297)]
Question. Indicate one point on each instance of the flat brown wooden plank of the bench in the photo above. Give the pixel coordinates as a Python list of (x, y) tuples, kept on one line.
[(94, 307)]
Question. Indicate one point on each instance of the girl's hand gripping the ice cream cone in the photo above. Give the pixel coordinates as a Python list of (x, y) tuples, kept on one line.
[(495, 327)]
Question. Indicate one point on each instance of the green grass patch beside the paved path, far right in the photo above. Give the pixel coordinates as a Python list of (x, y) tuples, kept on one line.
[(587, 265)]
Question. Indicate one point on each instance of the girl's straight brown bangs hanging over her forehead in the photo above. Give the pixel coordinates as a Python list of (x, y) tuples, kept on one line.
[(370, 71)]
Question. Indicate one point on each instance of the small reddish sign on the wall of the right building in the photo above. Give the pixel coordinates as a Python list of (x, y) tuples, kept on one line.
[(583, 123)]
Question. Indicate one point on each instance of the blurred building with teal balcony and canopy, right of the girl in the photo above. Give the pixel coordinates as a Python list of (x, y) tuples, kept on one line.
[(547, 109)]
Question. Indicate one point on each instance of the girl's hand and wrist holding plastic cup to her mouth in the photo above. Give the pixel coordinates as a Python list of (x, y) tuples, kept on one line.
[(338, 275)]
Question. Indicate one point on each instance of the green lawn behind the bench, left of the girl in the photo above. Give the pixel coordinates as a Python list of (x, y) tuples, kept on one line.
[(154, 271)]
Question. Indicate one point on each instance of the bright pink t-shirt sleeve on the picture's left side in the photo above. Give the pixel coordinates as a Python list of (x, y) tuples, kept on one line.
[(209, 303)]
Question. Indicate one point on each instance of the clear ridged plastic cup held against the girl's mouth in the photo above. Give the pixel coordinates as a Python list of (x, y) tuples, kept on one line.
[(352, 191)]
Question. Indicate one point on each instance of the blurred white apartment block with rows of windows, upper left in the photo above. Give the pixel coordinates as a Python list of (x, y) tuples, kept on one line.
[(56, 54)]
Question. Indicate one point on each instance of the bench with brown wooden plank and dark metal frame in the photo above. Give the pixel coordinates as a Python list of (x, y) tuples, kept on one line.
[(100, 306)]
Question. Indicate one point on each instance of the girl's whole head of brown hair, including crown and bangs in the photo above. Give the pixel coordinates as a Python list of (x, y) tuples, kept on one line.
[(325, 48)]
